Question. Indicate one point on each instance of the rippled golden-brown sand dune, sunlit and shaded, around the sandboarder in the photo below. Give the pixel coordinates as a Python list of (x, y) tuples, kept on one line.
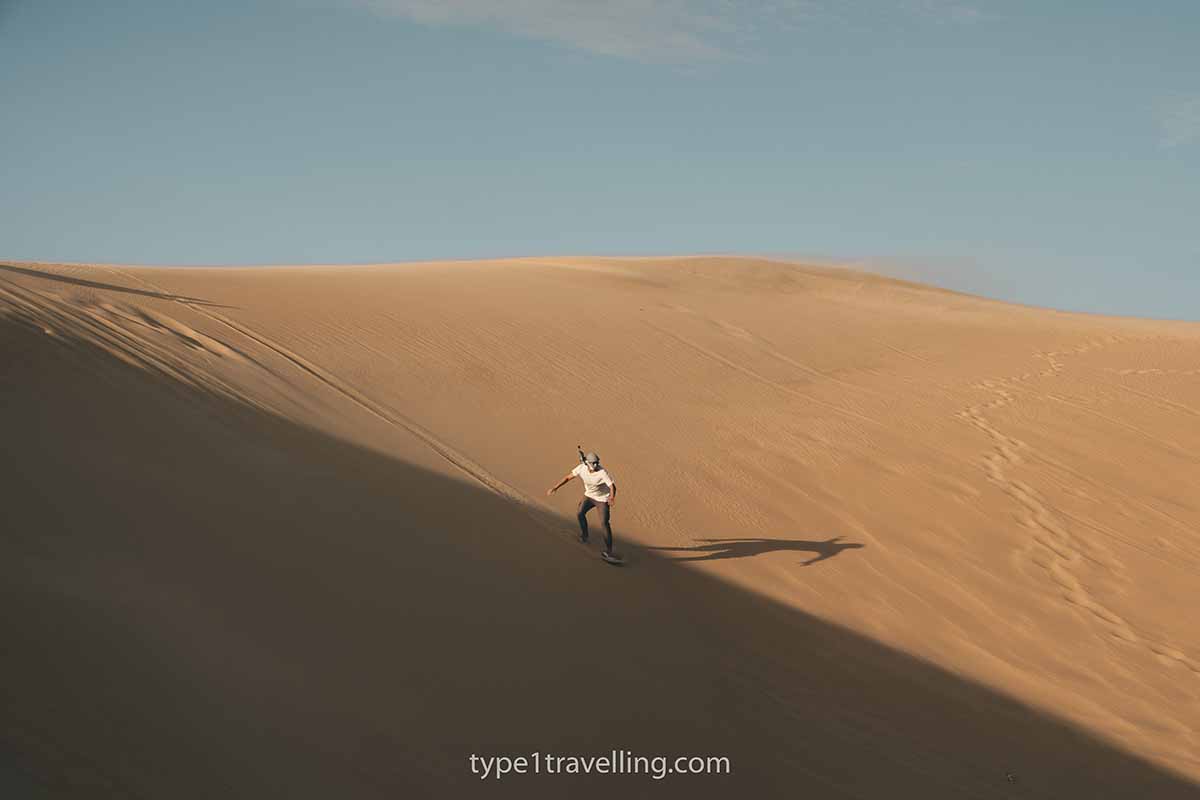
[(283, 533)]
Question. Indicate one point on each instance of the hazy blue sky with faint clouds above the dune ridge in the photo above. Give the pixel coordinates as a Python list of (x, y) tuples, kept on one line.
[(1041, 153)]
